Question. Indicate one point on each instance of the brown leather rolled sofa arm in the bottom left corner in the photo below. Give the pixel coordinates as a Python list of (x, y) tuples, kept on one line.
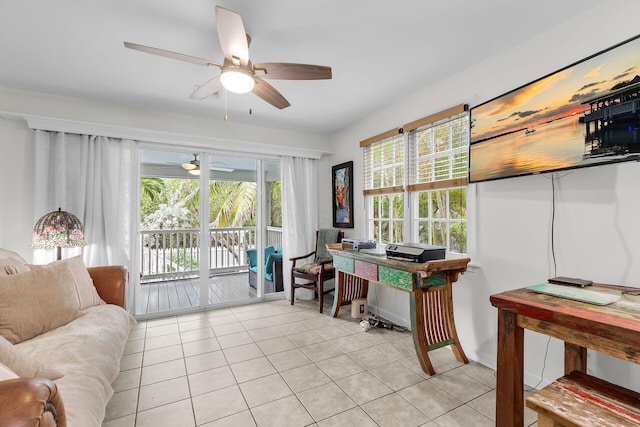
[(31, 402)]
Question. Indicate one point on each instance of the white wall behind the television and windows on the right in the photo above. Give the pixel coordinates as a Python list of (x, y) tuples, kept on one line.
[(597, 234)]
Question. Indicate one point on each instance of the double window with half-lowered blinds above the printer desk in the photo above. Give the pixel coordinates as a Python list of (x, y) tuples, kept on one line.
[(432, 154)]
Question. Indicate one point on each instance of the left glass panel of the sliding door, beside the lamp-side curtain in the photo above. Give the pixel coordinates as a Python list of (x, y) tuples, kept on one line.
[(170, 235)]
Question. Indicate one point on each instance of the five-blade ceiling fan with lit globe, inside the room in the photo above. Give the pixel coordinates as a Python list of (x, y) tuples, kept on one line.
[(237, 73)]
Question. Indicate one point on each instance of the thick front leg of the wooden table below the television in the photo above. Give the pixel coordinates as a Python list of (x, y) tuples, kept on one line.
[(510, 381)]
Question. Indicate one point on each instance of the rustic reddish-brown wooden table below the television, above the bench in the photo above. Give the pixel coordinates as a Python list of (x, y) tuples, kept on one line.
[(612, 329)]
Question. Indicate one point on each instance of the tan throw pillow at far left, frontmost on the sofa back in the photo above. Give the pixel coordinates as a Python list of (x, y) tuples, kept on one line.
[(37, 301)]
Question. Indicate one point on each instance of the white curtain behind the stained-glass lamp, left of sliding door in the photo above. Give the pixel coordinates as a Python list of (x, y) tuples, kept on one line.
[(92, 178)]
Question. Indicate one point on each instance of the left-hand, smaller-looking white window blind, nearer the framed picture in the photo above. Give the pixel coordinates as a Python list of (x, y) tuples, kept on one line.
[(384, 163)]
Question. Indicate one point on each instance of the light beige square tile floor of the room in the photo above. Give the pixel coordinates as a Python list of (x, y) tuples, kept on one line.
[(273, 364)]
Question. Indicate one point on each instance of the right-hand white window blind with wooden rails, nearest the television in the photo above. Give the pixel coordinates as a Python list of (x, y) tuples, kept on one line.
[(439, 150)]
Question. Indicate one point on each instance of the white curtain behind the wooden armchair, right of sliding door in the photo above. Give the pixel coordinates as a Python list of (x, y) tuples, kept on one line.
[(299, 216)]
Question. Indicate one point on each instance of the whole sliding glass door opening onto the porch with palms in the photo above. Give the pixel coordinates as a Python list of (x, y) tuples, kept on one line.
[(199, 252)]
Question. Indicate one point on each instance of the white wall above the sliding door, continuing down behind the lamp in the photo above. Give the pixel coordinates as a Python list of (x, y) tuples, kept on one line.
[(17, 144)]
